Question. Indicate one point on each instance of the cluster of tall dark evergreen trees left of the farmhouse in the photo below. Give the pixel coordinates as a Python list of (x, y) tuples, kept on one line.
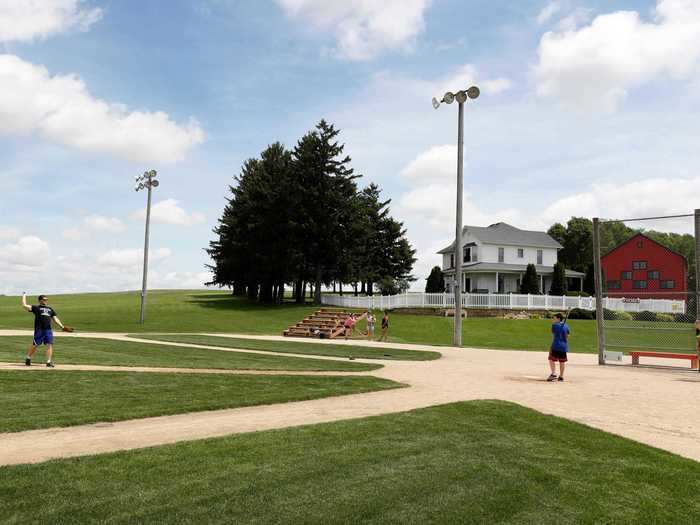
[(297, 217)]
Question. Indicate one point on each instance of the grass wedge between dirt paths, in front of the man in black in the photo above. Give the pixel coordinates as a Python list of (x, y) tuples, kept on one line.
[(58, 399)]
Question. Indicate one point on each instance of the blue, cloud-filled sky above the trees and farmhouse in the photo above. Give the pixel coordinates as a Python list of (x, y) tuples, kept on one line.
[(587, 108)]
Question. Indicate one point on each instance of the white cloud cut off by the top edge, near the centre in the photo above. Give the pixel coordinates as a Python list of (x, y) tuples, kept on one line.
[(363, 28)]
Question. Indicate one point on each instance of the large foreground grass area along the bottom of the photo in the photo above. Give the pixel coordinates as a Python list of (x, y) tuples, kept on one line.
[(475, 462)]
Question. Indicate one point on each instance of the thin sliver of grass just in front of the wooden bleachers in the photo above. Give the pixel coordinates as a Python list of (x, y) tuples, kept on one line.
[(296, 347)]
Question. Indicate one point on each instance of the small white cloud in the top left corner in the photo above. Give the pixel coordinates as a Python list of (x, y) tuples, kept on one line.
[(26, 20)]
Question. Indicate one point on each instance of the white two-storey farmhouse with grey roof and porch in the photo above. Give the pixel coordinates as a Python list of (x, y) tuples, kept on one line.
[(494, 259)]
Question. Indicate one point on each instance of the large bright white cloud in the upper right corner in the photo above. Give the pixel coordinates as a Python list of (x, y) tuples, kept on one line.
[(596, 65)]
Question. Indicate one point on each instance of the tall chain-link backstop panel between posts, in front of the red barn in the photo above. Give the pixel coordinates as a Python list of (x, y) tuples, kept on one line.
[(646, 281)]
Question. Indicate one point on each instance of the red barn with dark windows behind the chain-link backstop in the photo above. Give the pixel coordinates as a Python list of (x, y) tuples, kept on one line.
[(641, 267)]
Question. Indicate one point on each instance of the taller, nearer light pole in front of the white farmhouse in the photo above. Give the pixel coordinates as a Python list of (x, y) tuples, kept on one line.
[(461, 97)]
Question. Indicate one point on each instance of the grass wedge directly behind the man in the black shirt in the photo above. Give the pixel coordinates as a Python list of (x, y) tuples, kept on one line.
[(86, 351)]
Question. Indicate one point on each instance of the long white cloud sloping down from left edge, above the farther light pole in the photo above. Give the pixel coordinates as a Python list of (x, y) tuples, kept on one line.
[(61, 109)]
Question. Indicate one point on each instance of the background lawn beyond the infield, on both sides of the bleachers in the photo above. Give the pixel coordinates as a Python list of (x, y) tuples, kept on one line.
[(211, 311)]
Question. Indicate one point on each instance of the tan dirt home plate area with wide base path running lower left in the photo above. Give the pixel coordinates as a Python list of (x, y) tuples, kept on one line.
[(653, 406)]
